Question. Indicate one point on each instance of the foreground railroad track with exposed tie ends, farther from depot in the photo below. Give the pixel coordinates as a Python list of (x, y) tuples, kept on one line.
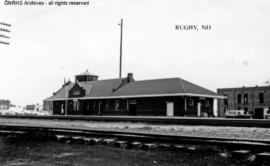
[(132, 136)]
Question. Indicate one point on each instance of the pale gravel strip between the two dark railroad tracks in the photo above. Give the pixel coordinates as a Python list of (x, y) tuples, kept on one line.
[(205, 131)]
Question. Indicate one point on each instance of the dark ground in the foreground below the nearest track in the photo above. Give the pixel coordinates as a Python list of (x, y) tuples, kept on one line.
[(23, 152)]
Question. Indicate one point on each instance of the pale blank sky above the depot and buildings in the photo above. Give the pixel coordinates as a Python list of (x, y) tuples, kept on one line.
[(50, 43)]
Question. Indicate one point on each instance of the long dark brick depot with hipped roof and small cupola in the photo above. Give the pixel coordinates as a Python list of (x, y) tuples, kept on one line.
[(156, 97)]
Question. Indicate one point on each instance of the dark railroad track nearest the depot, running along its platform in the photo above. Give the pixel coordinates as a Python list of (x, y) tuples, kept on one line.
[(156, 120)]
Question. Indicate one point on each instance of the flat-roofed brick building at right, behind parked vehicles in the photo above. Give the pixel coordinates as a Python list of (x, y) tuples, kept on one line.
[(254, 100)]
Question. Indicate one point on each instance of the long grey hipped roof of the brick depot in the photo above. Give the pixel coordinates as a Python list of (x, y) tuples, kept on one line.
[(146, 88)]
